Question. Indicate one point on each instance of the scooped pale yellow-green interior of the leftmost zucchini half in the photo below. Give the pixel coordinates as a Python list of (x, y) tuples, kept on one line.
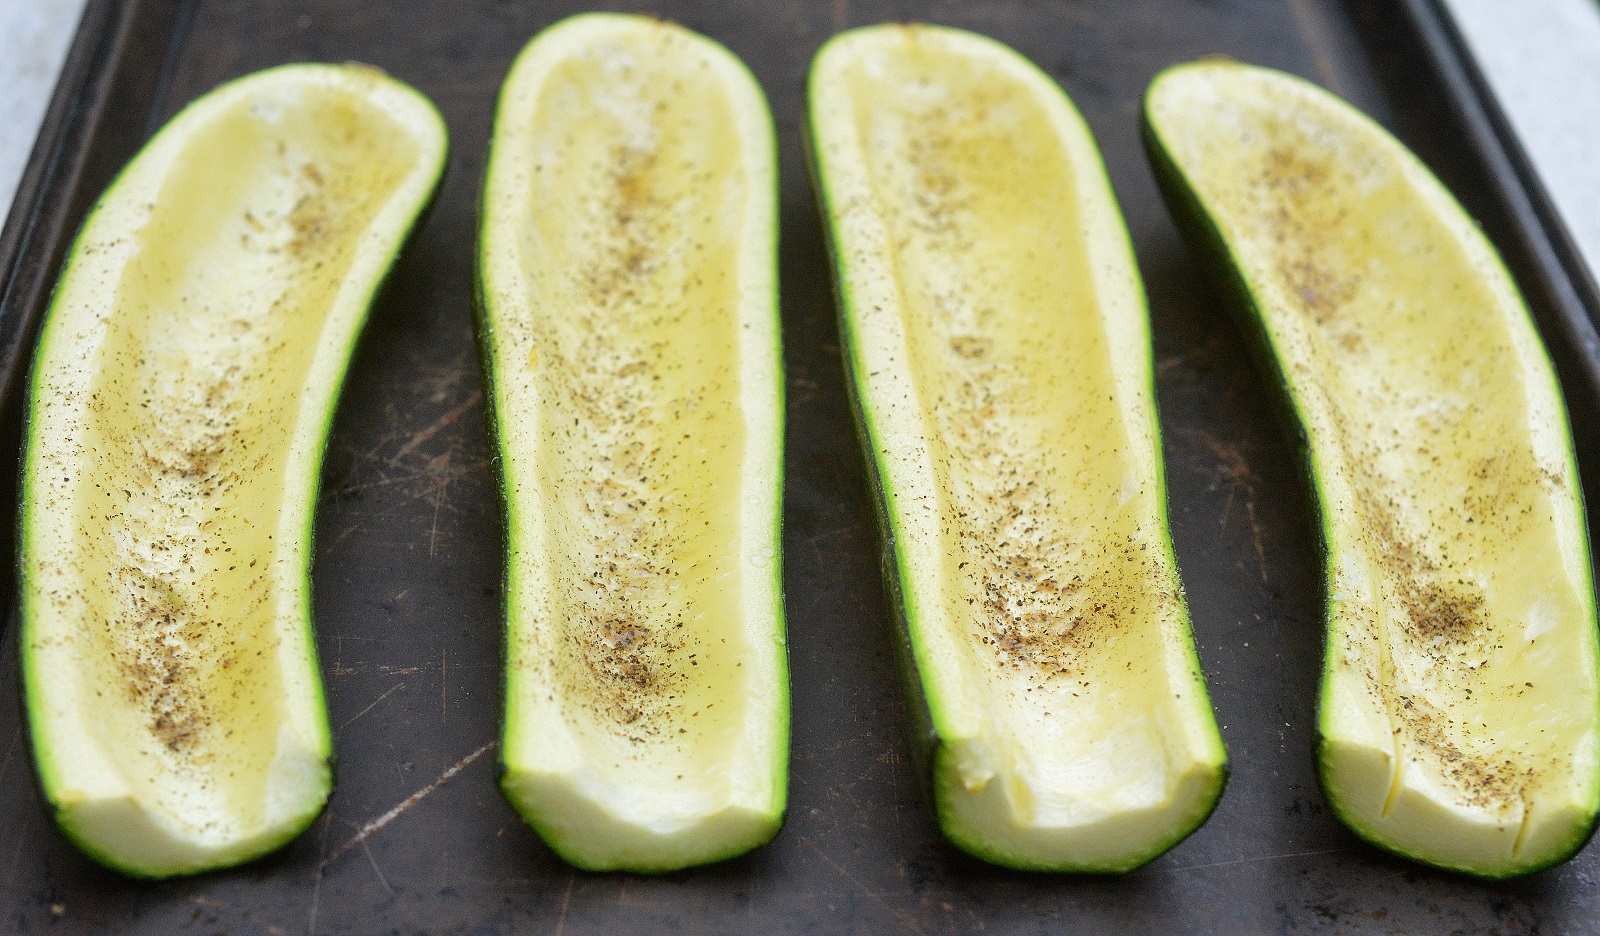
[(194, 396)]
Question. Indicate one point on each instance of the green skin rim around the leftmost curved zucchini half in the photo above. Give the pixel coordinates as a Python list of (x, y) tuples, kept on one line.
[(36, 681)]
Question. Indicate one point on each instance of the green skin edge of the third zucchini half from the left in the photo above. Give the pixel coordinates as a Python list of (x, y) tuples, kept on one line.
[(934, 753)]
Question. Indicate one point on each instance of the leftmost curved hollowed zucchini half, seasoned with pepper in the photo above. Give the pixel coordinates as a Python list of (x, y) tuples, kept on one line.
[(180, 407)]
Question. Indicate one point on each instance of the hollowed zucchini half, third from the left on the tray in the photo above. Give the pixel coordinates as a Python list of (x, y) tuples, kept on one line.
[(999, 354)]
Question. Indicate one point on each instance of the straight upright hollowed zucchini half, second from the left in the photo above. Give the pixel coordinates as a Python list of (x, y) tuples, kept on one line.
[(630, 334)]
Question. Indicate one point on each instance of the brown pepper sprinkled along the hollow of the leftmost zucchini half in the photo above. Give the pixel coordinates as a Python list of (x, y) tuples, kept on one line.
[(193, 452)]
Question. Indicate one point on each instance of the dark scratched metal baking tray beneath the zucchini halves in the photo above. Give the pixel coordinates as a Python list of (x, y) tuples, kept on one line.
[(409, 562)]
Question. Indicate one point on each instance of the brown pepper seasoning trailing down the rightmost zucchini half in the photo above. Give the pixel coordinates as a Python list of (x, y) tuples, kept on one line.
[(1442, 612)]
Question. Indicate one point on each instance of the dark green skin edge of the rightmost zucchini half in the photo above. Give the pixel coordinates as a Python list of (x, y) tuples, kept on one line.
[(1226, 274)]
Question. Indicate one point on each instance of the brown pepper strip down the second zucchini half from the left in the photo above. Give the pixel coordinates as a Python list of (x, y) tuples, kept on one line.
[(631, 652)]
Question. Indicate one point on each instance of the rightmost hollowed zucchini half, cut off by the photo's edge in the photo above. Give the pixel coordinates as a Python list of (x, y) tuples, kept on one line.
[(1460, 697)]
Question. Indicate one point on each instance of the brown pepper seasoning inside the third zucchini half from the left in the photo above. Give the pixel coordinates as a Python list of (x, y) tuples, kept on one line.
[(1042, 593)]
